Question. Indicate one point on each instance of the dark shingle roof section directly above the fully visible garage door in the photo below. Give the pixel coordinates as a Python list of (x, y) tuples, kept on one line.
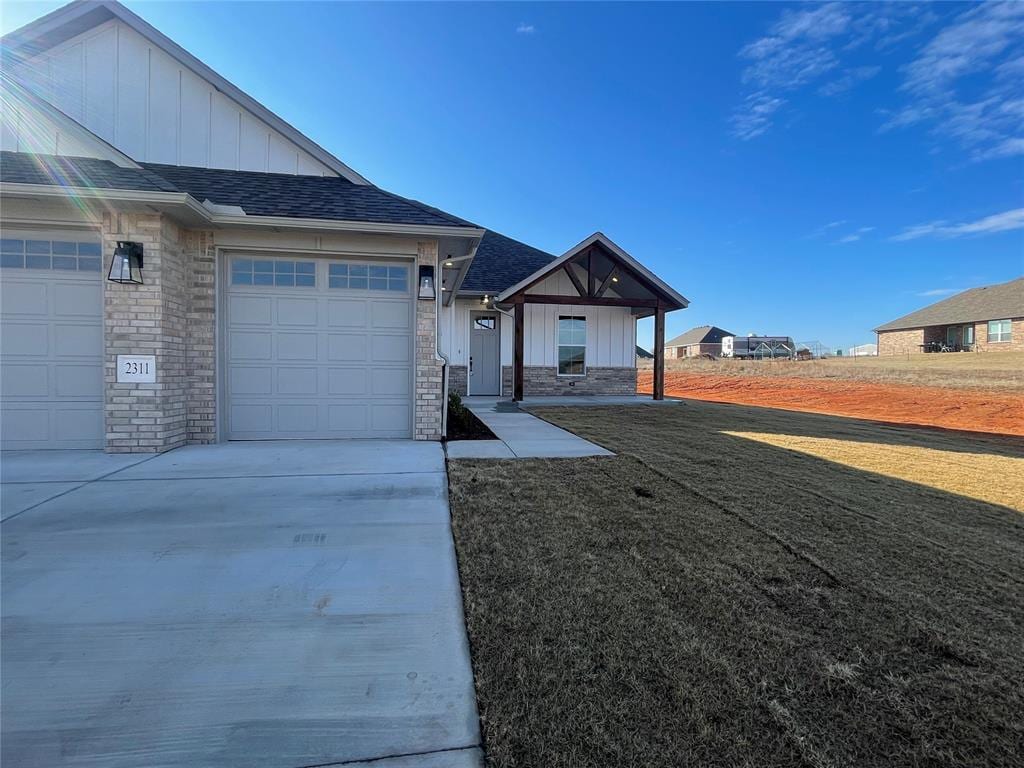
[(303, 197)]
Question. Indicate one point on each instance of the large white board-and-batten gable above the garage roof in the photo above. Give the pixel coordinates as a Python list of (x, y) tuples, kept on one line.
[(106, 68)]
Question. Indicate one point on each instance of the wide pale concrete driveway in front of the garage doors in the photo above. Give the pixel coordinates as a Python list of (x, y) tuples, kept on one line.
[(283, 605)]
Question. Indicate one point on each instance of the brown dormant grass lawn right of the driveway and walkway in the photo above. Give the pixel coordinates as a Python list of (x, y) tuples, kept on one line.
[(714, 599)]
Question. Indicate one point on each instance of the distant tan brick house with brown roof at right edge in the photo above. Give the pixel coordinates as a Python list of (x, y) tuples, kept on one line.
[(990, 318)]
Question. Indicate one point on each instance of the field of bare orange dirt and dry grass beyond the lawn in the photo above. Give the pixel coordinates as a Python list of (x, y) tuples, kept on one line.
[(976, 393)]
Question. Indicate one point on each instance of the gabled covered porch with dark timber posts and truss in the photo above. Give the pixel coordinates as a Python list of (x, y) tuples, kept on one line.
[(609, 287)]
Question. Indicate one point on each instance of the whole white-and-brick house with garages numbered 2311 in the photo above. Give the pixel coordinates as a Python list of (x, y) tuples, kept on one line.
[(181, 266)]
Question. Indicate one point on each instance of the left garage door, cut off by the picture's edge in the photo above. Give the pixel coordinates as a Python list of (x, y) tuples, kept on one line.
[(52, 345)]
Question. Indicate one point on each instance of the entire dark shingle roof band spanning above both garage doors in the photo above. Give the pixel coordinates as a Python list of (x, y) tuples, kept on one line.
[(258, 194)]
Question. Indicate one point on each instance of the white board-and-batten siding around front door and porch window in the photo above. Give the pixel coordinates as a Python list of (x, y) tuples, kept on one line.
[(611, 334)]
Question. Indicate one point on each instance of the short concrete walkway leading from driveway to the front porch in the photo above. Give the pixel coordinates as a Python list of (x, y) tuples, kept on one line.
[(521, 436)]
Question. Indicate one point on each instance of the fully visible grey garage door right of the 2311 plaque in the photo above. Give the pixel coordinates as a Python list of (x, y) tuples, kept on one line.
[(319, 349)]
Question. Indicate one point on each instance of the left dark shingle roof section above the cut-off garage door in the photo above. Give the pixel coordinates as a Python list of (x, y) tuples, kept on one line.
[(23, 168)]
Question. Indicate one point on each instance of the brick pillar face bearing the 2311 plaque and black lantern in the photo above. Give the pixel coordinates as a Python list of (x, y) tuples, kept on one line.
[(147, 320)]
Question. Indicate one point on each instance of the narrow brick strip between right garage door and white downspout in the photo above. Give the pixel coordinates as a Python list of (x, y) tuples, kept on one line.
[(428, 425)]
